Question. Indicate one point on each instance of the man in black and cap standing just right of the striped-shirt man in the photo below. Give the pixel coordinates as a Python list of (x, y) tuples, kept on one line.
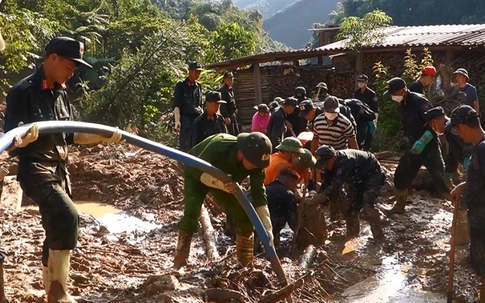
[(369, 97)]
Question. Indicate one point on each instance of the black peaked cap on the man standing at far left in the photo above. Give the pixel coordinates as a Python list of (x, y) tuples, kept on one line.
[(68, 48)]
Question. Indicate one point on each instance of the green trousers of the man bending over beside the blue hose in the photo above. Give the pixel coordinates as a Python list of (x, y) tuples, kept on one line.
[(195, 192)]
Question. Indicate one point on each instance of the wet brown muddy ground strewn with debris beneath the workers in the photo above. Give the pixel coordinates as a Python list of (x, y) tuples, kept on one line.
[(128, 259)]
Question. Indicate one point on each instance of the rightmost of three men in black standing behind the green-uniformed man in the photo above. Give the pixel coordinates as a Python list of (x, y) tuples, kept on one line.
[(229, 110)]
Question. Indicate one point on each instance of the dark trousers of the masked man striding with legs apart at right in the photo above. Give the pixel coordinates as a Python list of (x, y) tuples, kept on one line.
[(409, 165)]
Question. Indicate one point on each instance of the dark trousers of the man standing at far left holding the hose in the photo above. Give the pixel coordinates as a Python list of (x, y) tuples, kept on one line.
[(60, 218)]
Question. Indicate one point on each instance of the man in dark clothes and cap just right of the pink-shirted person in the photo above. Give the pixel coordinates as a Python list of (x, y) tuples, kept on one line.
[(278, 124)]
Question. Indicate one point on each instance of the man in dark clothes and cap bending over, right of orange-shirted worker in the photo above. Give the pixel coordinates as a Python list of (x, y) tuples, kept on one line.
[(362, 172)]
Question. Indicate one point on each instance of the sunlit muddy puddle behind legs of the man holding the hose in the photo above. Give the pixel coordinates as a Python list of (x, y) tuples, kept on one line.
[(109, 216)]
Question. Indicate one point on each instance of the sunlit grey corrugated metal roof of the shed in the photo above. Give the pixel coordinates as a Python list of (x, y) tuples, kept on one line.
[(431, 35)]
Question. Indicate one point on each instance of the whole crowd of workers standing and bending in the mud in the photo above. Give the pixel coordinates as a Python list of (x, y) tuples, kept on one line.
[(274, 159)]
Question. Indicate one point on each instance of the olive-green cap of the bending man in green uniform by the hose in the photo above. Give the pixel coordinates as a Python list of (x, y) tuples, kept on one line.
[(255, 147)]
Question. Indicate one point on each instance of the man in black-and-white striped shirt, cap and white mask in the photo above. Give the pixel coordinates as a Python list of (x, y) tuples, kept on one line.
[(332, 128)]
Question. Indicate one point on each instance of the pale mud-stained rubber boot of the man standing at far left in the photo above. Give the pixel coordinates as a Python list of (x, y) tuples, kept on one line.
[(58, 273)]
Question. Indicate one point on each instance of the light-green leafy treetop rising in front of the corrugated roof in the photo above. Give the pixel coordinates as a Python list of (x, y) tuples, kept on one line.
[(364, 31)]
